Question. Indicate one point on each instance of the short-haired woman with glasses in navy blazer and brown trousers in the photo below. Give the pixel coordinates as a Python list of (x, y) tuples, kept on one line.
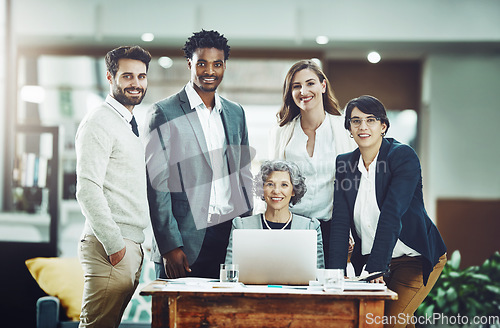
[(378, 196)]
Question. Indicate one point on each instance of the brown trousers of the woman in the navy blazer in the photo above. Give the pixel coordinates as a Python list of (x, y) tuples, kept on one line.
[(406, 280)]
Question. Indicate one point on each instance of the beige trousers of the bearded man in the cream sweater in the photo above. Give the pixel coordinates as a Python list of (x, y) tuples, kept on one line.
[(107, 289)]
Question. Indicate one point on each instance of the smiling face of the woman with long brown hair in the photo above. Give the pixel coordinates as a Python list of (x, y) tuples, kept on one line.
[(307, 90)]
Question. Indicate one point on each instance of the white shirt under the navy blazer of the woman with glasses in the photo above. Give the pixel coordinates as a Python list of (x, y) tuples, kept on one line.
[(367, 212)]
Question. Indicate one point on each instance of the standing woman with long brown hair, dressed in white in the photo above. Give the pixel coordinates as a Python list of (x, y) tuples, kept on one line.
[(310, 133)]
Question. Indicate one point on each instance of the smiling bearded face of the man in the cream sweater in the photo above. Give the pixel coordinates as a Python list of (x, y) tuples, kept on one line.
[(130, 83)]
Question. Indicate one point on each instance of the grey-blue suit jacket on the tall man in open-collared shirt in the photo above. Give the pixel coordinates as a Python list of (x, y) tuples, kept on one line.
[(180, 173)]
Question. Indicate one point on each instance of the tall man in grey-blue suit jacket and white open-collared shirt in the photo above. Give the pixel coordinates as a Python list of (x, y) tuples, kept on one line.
[(198, 164)]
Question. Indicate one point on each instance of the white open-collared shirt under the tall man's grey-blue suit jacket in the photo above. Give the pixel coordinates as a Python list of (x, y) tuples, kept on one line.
[(215, 137)]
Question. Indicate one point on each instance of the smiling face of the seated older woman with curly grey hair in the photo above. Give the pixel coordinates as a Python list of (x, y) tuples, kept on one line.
[(278, 190)]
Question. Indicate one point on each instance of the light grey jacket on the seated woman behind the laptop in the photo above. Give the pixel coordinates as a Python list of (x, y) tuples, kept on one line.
[(298, 222)]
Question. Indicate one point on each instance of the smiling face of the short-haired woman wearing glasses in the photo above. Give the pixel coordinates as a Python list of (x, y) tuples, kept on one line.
[(367, 136)]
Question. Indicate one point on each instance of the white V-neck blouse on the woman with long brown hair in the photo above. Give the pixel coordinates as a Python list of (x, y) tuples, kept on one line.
[(319, 170)]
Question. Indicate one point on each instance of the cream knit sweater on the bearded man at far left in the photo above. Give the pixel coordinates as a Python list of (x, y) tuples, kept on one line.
[(111, 179)]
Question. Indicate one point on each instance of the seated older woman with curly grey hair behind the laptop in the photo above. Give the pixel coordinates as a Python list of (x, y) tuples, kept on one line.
[(281, 185)]
